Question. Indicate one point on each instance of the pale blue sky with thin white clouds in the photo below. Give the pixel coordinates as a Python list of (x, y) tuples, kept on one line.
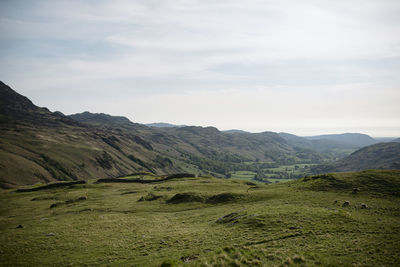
[(304, 67)]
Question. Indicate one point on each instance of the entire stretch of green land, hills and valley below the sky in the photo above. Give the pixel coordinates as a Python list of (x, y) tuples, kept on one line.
[(96, 189)]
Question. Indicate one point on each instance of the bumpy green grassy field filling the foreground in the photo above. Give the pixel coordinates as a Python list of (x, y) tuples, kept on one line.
[(206, 222)]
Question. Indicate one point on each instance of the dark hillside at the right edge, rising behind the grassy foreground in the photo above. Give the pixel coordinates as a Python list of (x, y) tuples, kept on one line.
[(377, 156)]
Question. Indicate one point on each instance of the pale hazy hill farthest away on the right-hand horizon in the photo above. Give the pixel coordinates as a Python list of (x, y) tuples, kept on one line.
[(347, 139)]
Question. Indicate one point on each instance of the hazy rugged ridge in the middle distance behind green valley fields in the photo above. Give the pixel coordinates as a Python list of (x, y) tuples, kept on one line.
[(221, 148)]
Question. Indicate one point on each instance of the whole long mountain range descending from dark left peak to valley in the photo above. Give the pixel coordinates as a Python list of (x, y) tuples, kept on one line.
[(41, 146)]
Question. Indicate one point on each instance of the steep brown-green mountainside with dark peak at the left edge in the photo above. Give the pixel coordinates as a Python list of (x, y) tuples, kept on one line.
[(37, 145)]
